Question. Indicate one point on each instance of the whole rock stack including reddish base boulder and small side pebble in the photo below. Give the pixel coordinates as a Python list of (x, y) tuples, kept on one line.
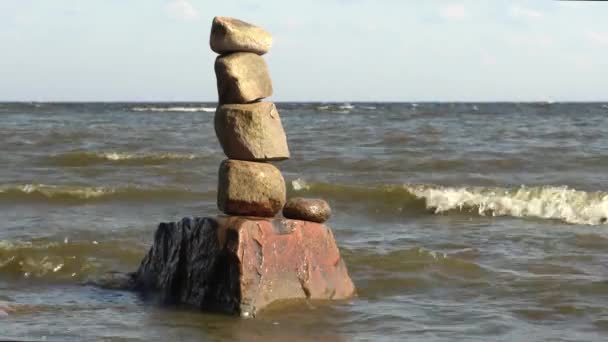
[(242, 262)]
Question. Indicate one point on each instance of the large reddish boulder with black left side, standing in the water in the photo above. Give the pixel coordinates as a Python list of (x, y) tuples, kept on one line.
[(241, 265)]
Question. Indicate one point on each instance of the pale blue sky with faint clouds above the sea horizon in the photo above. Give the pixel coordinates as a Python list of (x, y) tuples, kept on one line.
[(323, 50)]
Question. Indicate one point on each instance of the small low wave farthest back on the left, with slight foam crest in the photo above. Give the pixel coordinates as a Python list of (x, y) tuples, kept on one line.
[(92, 158)]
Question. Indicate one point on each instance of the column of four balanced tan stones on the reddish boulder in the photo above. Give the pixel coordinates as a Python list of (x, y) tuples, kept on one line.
[(249, 129)]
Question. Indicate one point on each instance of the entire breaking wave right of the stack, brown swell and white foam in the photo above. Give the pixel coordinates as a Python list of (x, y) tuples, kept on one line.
[(544, 202)]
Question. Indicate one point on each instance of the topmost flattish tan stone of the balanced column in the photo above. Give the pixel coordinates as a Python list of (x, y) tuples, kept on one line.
[(233, 35)]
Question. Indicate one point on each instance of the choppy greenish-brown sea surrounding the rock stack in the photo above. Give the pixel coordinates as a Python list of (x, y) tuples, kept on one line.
[(457, 221)]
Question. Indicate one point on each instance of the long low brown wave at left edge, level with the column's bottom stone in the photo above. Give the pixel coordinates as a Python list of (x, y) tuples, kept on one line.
[(77, 194)]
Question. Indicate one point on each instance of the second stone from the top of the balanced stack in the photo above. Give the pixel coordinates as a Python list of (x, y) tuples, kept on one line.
[(242, 77)]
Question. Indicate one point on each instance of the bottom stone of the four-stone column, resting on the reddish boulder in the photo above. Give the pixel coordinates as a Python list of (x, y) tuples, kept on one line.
[(250, 189)]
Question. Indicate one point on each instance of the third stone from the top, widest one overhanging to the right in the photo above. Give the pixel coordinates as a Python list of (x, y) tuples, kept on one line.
[(251, 132)]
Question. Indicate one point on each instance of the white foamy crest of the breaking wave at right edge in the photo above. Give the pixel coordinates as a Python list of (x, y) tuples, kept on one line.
[(560, 203)]
